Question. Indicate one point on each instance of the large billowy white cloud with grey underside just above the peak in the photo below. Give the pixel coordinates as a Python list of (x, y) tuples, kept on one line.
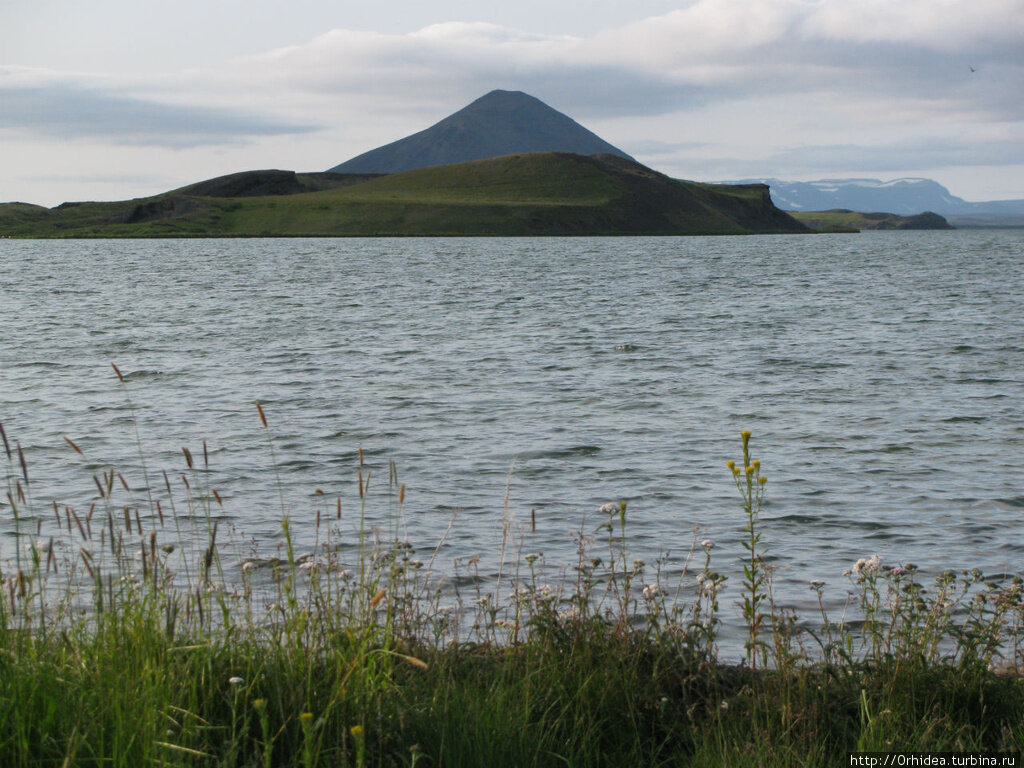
[(713, 51)]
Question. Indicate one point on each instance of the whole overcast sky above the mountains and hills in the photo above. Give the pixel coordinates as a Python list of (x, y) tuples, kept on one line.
[(110, 100)]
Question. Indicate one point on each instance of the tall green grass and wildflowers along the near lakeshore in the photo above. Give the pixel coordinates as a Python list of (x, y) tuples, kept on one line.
[(119, 647)]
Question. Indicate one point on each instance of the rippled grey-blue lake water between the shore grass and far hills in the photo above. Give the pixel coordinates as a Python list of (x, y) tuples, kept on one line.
[(882, 376)]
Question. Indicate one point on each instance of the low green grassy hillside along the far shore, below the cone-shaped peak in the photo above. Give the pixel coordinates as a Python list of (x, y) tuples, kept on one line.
[(518, 195)]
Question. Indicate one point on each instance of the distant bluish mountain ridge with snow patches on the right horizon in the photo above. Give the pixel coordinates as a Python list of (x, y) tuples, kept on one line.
[(904, 197)]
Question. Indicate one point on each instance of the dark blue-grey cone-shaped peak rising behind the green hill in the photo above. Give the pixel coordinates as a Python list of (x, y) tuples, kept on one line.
[(499, 123)]
